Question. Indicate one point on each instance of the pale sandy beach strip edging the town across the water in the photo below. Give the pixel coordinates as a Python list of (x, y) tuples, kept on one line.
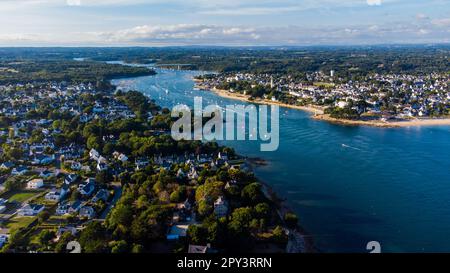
[(320, 116)]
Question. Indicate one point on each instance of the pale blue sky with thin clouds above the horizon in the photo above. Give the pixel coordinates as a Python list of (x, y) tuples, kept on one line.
[(222, 22)]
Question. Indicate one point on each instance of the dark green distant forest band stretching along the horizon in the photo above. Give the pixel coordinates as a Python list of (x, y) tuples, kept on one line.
[(348, 61)]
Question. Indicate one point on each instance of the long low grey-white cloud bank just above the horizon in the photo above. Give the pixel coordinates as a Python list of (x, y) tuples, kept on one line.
[(205, 34)]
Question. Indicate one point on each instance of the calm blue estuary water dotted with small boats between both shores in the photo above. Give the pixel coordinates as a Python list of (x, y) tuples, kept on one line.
[(349, 185)]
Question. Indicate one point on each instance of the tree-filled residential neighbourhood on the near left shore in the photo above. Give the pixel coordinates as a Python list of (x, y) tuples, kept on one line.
[(98, 167)]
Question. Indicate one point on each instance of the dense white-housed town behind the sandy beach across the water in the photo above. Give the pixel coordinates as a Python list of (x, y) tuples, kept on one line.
[(376, 98)]
